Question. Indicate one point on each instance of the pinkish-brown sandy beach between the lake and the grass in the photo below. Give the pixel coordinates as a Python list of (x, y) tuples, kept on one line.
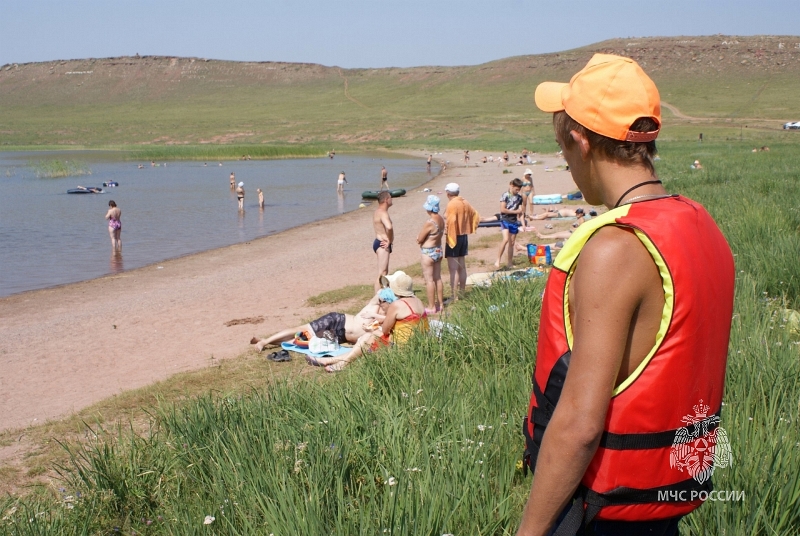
[(66, 348)]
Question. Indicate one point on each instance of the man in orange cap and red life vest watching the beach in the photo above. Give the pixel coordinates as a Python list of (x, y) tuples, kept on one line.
[(622, 430)]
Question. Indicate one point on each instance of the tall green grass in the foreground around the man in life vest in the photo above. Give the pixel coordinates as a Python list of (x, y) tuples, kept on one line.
[(424, 439)]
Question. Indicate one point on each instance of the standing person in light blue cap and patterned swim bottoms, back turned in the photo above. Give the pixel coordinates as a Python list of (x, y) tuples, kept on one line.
[(430, 242)]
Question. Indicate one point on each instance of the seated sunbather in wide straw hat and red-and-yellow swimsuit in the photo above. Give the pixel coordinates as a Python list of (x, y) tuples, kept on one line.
[(403, 317)]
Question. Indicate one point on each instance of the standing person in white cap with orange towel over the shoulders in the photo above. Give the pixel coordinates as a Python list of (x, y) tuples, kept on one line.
[(460, 220)]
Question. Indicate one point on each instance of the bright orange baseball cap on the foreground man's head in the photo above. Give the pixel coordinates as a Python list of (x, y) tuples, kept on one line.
[(607, 96)]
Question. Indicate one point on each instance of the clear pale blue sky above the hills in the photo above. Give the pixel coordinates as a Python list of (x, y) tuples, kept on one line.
[(363, 33)]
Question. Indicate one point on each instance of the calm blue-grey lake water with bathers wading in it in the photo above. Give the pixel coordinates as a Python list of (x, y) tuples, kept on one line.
[(48, 237)]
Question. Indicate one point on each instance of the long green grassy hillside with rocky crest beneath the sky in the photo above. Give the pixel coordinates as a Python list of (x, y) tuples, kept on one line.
[(717, 84)]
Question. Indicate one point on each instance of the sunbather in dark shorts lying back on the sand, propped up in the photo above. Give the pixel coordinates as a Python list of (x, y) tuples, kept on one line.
[(346, 328)]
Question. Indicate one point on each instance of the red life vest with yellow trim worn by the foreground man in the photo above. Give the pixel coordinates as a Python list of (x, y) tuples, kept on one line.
[(637, 473)]
